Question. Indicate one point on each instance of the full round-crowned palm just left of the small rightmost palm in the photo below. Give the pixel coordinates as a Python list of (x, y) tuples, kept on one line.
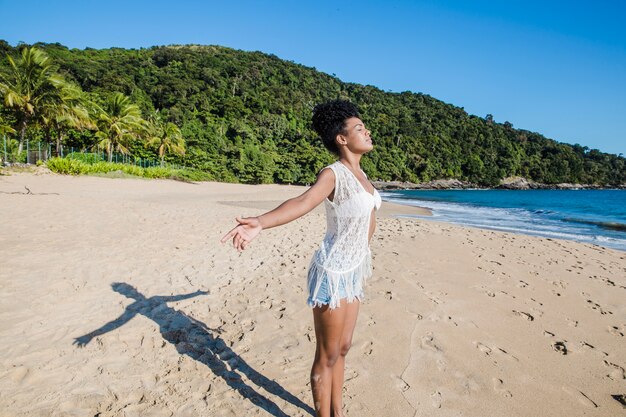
[(118, 122)]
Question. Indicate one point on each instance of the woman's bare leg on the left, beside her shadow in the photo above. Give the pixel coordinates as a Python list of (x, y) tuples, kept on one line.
[(329, 329)]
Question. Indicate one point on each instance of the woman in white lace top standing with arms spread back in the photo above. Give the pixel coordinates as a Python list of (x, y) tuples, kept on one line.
[(339, 268)]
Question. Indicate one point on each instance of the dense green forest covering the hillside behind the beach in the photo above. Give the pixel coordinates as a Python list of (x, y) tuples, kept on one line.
[(244, 116)]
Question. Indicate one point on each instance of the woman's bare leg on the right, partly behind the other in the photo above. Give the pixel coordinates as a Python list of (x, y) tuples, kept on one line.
[(336, 403)]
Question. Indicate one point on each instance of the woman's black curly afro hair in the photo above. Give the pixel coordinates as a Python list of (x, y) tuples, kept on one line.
[(329, 120)]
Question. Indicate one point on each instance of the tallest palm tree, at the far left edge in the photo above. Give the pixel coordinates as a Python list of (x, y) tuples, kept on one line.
[(32, 81)]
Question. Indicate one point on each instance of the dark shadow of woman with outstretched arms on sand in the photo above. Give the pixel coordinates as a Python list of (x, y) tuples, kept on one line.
[(194, 339)]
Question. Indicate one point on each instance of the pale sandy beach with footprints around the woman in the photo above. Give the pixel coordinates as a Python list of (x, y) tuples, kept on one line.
[(119, 300)]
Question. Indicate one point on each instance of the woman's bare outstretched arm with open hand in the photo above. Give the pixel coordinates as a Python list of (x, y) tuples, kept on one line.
[(250, 227)]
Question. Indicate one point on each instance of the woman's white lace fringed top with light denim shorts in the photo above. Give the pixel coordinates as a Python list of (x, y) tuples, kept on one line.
[(343, 262)]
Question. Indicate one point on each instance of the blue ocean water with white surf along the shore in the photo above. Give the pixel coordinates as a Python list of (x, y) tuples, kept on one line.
[(591, 216)]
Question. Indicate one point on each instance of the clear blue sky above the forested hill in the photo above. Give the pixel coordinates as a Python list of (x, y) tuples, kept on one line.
[(554, 67)]
